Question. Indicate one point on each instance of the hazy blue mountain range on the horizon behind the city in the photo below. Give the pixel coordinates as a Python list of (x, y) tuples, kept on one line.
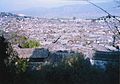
[(77, 10)]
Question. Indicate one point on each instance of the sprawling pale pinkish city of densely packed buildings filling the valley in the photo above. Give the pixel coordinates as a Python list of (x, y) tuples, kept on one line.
[(75, 34)]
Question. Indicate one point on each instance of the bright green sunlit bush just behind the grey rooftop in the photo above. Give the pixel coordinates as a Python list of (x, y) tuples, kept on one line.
[(31, 44)]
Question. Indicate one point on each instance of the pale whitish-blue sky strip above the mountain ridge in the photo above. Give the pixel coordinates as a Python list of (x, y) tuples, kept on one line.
[(10, 5)]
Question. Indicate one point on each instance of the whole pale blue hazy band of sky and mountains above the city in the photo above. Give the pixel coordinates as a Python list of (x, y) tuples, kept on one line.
[(58, 8)]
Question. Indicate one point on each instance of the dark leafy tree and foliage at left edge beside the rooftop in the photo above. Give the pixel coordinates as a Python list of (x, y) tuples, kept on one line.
[(11, 66)]
